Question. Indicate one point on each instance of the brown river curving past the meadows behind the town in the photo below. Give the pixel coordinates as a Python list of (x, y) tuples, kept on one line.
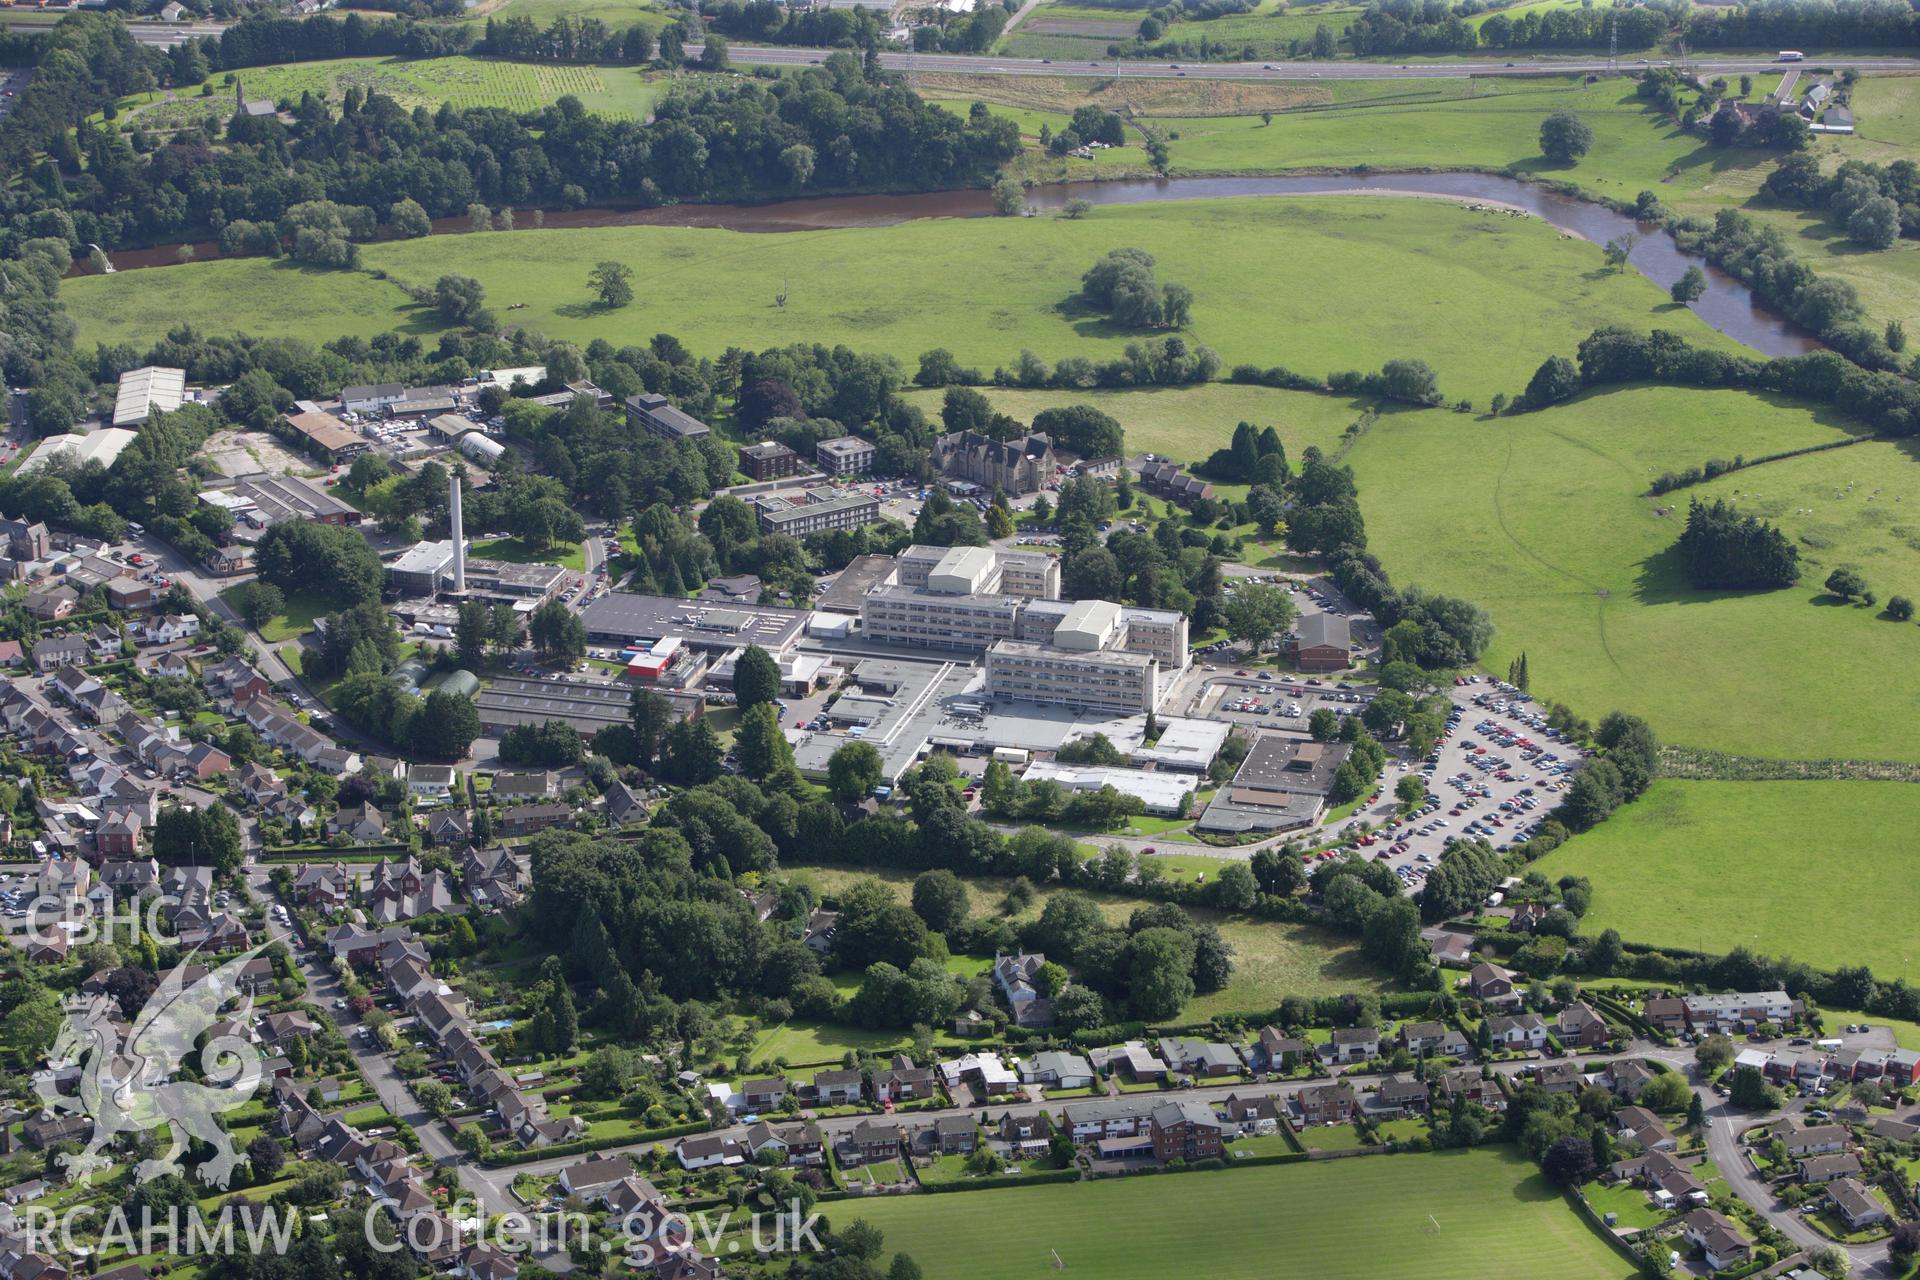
[(1727, 306)]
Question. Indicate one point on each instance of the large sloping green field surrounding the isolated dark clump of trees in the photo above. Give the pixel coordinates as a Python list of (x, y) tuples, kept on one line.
[(1543, 519)]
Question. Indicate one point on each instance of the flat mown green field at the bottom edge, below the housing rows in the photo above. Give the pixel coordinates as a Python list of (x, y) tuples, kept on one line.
[(1499, 1220)]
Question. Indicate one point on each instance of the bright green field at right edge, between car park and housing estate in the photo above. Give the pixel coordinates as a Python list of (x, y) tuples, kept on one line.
[(1806, 870)]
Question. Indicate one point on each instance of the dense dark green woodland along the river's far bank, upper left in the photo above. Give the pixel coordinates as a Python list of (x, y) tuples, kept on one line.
[(832, 128)]
